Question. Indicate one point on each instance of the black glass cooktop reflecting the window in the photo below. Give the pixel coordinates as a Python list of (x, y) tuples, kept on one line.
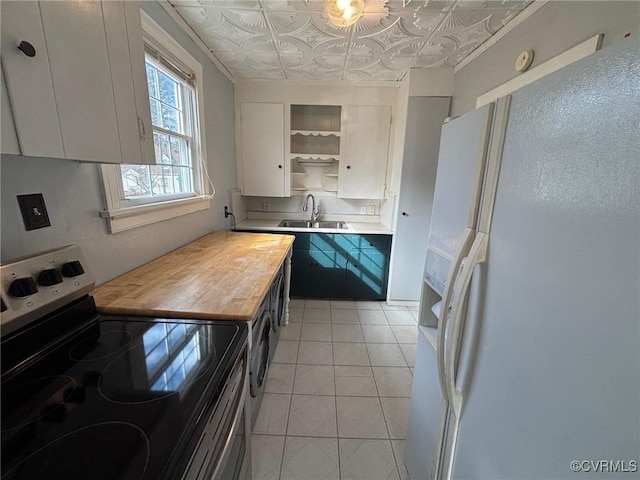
[(114, 399)]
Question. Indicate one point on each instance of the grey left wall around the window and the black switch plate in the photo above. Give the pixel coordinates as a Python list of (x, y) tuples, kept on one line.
[(73, 191)]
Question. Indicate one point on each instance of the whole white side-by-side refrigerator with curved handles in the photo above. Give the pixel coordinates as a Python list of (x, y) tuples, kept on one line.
[(532, 370)]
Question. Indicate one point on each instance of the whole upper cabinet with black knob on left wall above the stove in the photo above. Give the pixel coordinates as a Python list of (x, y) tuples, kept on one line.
[(79, 97)]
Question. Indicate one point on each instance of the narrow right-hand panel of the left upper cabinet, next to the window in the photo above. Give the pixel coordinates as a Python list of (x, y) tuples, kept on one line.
[(126, 61)]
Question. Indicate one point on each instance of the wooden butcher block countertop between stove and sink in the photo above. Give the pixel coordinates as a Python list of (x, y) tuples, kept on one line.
[(223, 275)]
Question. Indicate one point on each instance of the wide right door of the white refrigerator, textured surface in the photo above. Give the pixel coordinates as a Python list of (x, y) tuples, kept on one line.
[(551, 354)]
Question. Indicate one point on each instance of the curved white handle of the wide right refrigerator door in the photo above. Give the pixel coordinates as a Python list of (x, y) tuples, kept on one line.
[(477, 255)]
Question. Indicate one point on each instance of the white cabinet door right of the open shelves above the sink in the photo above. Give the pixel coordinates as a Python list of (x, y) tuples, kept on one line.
[(363, 164)]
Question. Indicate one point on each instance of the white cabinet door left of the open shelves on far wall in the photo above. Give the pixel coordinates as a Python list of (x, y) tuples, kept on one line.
[(262, 144)]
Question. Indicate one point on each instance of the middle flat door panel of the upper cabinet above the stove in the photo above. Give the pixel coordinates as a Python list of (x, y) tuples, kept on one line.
[(77, 46)]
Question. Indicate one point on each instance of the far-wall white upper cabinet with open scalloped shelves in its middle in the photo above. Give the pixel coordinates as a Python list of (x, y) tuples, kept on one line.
[(325, 130)]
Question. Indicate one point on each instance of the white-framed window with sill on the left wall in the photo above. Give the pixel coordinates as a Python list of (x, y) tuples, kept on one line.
[(178, 183)]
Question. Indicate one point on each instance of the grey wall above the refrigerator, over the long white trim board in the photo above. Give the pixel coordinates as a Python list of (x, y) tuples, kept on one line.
[(555, 28)]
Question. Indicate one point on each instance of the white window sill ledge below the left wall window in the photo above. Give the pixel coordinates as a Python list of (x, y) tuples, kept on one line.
[(119, 220)]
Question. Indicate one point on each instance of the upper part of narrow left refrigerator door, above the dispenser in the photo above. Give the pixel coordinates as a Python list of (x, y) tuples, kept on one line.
[(461, 163)]
